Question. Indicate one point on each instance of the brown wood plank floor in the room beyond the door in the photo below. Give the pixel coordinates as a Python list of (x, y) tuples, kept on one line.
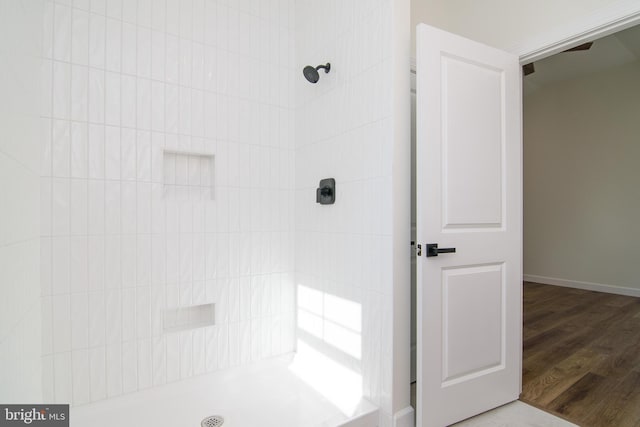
[(581, 355)]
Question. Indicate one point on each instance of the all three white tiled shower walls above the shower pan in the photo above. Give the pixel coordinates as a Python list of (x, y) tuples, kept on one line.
[(161, 185)]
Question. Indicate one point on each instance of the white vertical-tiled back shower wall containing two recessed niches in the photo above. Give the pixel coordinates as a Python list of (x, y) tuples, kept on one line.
[(137, 94)]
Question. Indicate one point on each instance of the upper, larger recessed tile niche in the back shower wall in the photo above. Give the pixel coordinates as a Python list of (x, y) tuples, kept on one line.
[(188, 175)]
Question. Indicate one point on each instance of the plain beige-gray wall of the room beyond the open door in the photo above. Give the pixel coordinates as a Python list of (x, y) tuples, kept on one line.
[(582, 192)]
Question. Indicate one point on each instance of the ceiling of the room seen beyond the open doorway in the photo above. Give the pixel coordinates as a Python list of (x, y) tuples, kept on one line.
[(609, 52)]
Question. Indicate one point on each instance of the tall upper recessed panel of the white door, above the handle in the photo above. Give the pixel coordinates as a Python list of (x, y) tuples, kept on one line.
[(473, 173)]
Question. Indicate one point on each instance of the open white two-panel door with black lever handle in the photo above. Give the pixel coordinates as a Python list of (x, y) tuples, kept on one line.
[(469, 185)]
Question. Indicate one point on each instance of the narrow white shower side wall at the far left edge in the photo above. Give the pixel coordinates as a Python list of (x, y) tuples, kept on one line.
[(20, 327)]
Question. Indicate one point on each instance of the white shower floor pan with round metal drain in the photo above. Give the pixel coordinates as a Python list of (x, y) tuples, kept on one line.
[(265, 394)]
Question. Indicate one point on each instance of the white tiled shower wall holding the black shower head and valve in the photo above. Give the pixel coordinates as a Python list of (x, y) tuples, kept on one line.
[(344, 131)]
